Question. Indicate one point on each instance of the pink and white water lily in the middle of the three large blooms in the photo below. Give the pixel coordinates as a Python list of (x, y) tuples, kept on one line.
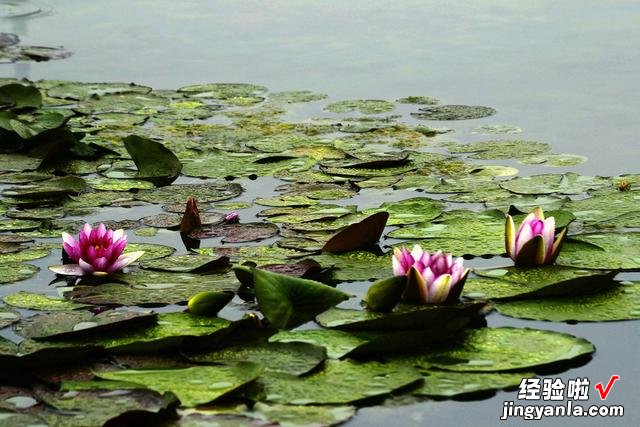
[(431, 278)]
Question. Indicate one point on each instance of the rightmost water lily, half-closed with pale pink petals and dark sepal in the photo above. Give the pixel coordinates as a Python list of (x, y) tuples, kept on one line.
[(534, 243)]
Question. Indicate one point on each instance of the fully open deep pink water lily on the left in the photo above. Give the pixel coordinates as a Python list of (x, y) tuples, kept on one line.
[(97, 251)]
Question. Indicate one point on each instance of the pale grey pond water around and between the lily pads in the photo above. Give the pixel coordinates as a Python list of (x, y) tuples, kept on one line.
[(565, 72)]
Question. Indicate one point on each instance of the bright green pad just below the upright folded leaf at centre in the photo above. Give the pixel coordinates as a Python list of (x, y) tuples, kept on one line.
[(337, 343)]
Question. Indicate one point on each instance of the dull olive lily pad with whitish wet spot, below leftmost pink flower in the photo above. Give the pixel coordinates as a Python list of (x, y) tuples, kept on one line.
[(64, 324)]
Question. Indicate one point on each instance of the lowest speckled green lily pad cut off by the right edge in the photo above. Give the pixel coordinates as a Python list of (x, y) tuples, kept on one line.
[(621, 302)]
